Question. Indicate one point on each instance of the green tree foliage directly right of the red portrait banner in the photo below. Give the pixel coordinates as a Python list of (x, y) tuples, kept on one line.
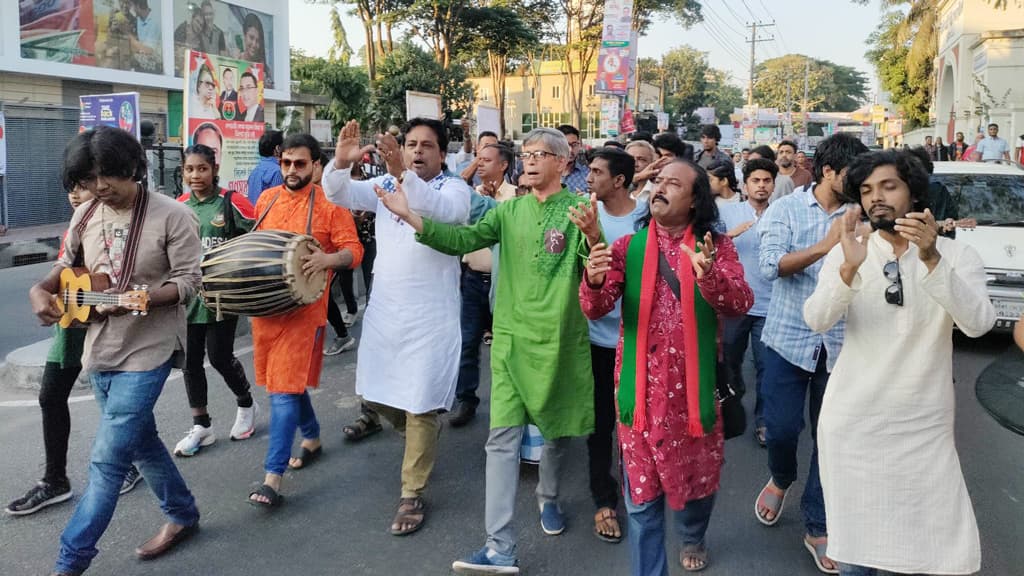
[(346, 86)]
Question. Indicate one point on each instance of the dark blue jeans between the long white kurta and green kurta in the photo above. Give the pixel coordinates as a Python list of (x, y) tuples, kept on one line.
[(476, 320)]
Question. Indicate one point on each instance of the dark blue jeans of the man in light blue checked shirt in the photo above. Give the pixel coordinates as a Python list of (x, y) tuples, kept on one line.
[(785, 389)]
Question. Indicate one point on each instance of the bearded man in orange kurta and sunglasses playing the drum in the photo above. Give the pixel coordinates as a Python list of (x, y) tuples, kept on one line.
[(289, 348)]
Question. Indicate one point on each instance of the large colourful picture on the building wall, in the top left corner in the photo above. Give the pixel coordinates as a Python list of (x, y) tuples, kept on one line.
[(115, 34)]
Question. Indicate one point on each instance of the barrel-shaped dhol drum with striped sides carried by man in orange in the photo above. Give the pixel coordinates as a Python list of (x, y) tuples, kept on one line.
[(261, 274)]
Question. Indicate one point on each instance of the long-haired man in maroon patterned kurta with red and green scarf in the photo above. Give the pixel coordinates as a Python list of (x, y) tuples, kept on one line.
[(669, 422)]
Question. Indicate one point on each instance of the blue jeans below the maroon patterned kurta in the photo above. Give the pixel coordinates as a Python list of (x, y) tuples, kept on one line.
[(647, 530)]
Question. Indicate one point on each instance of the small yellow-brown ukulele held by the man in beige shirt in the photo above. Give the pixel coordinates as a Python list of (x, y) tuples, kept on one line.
[(81, 293)]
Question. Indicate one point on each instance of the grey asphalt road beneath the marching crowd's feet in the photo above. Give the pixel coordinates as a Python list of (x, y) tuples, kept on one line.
[(336, 517)]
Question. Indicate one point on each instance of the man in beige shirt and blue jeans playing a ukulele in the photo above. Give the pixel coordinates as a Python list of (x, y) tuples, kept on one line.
[(136, 238)]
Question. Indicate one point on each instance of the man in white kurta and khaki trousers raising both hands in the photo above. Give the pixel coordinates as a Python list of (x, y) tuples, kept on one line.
[(414, 313)]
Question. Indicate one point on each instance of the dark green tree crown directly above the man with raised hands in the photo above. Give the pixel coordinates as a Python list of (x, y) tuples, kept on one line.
[(411, 68)]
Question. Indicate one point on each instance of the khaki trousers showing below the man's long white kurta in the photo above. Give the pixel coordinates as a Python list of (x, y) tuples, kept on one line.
[(422, 432)]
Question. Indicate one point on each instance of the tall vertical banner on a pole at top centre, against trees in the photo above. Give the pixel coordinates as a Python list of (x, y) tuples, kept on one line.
[(616, 56)]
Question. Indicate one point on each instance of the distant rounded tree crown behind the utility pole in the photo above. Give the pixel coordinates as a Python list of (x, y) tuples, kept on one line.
[(831, 88)]
